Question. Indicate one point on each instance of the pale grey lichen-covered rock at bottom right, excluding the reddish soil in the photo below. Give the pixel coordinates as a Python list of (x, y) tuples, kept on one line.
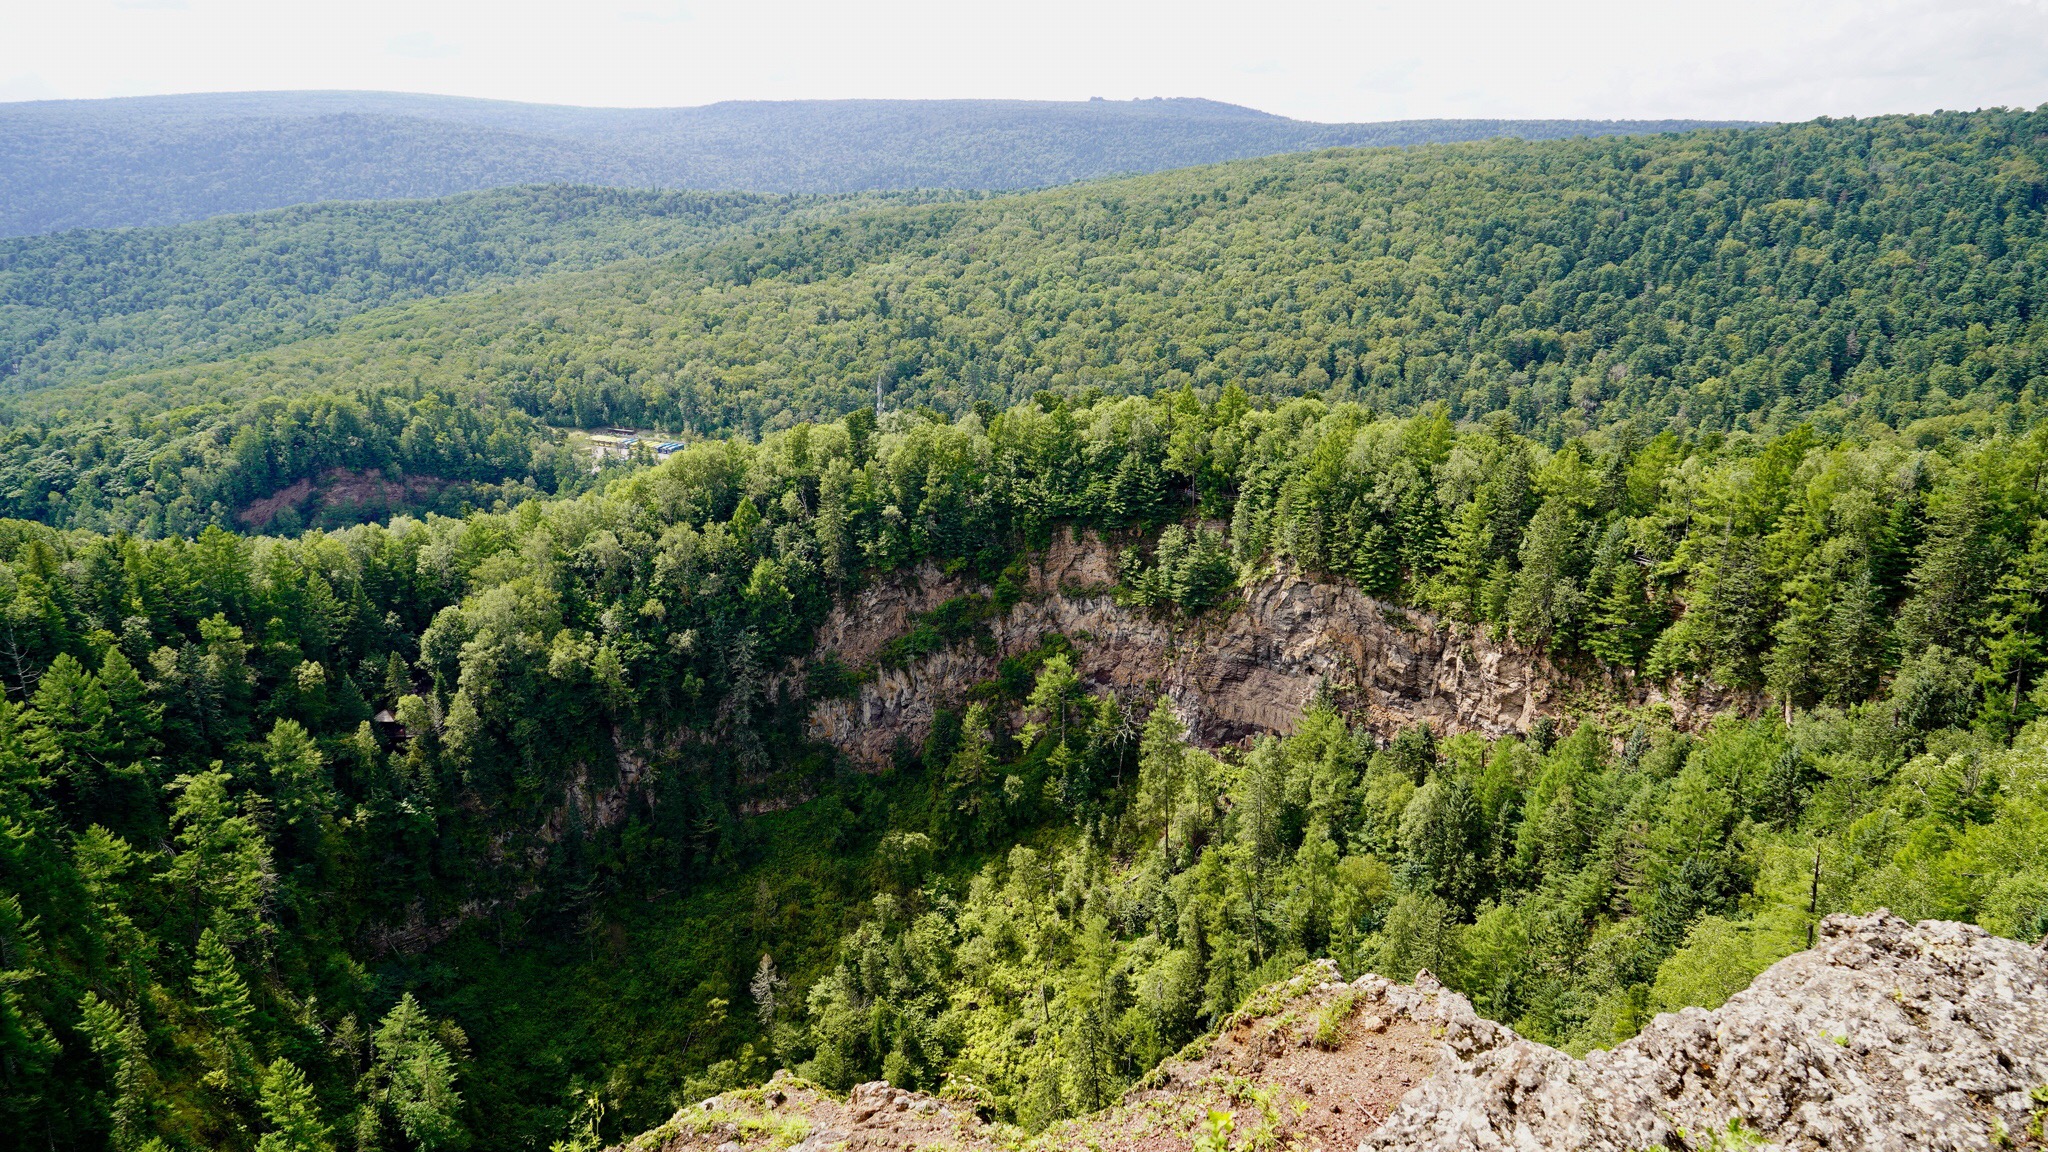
[(1885, 1036)]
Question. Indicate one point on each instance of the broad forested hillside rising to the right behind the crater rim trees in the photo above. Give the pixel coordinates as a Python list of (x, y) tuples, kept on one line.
[(1848, 274)]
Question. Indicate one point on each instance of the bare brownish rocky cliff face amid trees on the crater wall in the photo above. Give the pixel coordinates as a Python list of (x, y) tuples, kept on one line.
[(1242, 673)]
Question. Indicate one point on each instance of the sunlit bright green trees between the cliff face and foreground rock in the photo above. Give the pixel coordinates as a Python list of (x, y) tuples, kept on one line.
[(1572, 884)]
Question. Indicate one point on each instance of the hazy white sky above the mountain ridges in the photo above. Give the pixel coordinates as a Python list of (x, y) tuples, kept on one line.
[(1328, 60)]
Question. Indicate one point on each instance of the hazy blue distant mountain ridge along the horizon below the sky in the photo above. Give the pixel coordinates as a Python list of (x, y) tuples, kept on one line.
[(175, 159)]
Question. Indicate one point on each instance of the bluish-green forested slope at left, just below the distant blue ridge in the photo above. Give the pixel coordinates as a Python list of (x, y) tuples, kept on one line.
[(87, 304)]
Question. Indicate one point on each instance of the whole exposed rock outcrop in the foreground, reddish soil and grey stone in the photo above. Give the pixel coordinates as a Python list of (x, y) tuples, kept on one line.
[(1887, 1036)]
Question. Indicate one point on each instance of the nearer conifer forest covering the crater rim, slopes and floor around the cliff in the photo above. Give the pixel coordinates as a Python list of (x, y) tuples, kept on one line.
[(224, 868)]
